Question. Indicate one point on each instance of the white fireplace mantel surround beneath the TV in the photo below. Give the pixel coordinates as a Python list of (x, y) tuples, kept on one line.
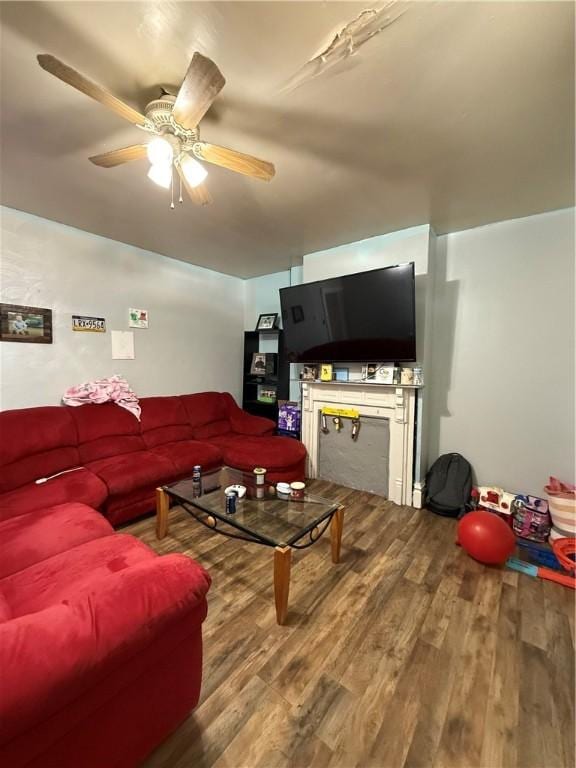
[(394, 402)]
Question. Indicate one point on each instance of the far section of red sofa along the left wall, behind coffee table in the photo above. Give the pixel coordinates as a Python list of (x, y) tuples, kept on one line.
[(103, 456)]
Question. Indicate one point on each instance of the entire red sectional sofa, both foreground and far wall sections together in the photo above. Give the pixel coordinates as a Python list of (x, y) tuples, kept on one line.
[(101, 639)]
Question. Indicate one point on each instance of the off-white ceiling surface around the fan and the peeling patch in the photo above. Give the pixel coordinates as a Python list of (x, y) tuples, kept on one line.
[(457, 114)]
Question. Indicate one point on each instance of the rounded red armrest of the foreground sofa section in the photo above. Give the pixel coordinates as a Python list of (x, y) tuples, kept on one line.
[(48, 658)]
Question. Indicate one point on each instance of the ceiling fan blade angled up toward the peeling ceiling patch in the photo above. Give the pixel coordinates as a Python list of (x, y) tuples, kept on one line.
[(203, 82)]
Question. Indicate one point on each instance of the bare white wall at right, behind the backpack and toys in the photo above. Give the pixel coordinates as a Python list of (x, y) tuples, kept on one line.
[(502, 384)]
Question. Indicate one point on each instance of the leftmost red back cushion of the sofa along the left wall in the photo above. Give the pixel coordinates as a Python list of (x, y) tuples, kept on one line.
[(34, 443)]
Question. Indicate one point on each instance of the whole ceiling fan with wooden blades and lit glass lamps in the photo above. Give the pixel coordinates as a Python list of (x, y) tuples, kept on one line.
[(173, 123)]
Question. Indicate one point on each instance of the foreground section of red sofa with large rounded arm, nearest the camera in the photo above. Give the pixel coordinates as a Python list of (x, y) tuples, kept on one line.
[(100, 641)]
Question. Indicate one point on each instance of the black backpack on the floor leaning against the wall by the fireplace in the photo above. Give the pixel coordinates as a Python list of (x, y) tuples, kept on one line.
[(448, 485)]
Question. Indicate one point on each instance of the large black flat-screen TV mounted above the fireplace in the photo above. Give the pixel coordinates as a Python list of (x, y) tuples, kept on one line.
[(368, 316)]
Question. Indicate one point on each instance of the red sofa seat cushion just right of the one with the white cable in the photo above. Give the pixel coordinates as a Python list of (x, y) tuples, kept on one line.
[(132, 471)]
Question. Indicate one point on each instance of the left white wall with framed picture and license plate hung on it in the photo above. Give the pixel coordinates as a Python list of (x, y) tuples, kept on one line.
[(194, 341)]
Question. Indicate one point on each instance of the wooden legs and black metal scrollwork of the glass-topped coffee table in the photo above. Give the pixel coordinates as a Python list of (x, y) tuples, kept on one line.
[(282, 552)]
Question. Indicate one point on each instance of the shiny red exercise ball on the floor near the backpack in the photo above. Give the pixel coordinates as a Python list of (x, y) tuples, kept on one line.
[(486, 537)]
